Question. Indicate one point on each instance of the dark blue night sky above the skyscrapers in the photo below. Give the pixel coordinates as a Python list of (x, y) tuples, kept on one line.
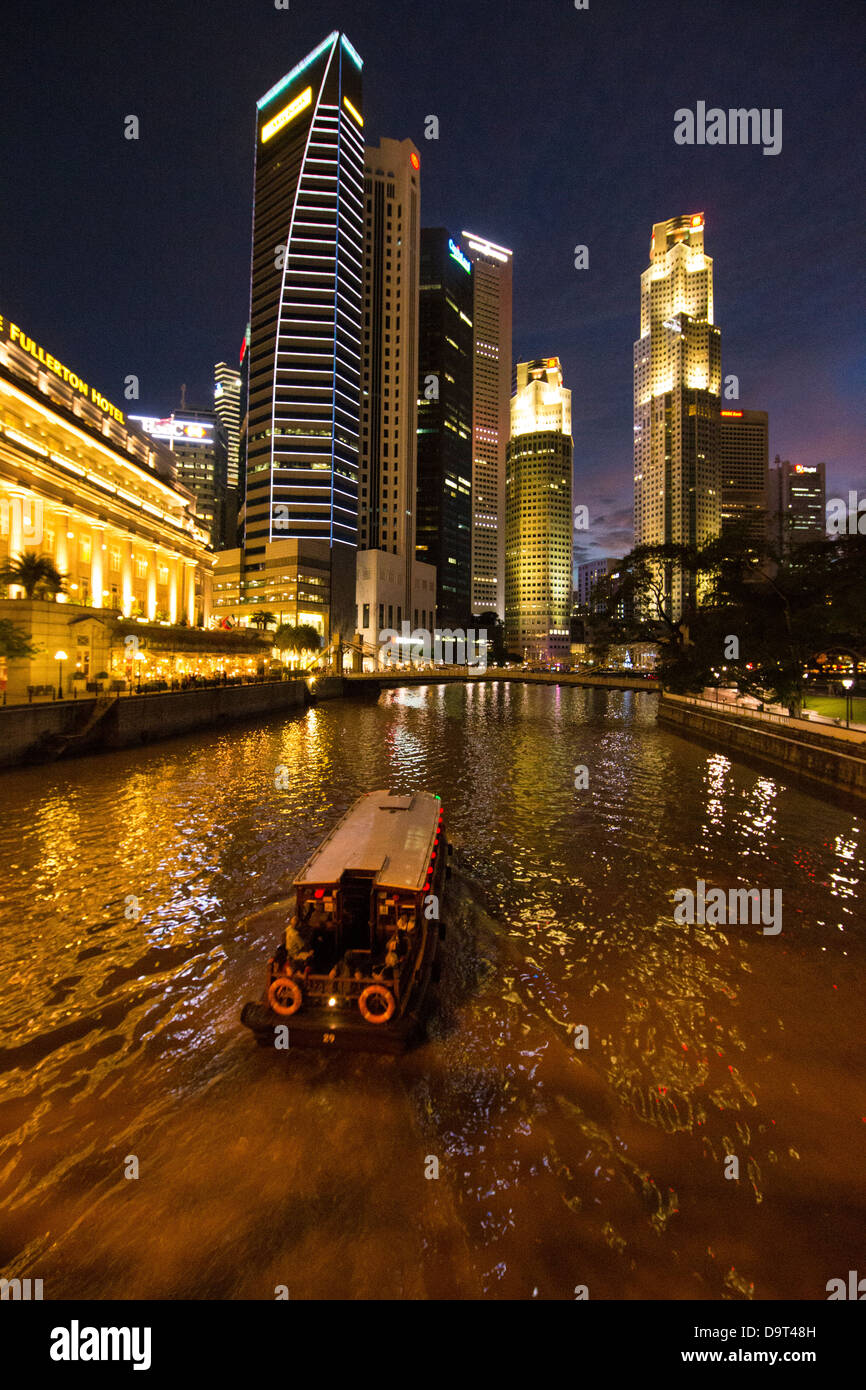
[(557, 130)]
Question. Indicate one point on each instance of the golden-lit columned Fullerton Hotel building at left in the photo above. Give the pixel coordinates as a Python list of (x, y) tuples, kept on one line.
[(81, 484)]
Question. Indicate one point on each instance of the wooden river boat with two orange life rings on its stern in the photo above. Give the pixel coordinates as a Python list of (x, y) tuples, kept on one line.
[(362, 946)]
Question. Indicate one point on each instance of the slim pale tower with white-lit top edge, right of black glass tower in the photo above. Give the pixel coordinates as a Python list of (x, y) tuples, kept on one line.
[(491, 418)]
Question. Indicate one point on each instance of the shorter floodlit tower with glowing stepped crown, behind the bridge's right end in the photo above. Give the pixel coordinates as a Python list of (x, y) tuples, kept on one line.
[(539, 533)]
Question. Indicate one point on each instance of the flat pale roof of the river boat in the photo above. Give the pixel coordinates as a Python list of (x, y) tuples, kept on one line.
[(387, 836)]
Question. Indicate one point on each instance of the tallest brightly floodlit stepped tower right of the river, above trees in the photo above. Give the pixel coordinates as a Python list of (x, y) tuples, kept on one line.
[(678, 387)]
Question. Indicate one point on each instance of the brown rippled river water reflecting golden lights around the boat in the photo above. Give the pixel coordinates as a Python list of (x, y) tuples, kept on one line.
[(603, 1167)]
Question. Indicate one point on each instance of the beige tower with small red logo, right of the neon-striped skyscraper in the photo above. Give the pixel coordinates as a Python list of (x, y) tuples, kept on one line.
[(390, 398)]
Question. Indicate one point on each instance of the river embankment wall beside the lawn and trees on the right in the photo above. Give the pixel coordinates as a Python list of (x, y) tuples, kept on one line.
[(826, 761)]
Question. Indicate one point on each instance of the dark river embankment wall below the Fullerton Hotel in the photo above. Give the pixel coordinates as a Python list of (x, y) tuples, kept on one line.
[(45, 733)]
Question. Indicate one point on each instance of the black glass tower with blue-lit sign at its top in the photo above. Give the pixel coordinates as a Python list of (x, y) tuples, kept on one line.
[(446, 422)]
